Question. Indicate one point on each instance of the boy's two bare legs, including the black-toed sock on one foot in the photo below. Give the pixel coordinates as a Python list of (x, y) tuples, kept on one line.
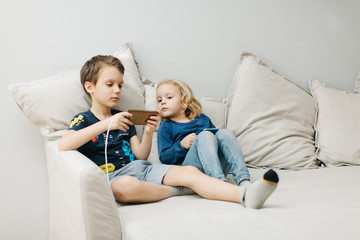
[(129, 189)]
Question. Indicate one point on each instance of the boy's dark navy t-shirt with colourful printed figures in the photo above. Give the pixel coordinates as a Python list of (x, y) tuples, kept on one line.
[(119, 152)]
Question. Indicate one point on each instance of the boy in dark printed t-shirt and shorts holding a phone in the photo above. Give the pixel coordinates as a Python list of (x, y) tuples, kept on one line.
[(139, 181)]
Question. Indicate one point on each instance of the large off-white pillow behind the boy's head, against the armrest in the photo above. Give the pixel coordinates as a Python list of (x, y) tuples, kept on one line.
[(52, 102)]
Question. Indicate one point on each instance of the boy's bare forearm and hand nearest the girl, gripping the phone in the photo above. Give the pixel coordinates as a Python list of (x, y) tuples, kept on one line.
[(142, 149)]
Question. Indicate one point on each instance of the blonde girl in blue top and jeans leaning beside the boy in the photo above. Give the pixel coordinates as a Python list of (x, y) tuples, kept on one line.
[(186, 136)]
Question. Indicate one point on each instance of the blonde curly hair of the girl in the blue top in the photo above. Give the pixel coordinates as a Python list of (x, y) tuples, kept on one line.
[(189, 102)]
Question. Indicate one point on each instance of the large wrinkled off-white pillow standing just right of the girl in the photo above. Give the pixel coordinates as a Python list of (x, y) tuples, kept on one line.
[(271, 117)]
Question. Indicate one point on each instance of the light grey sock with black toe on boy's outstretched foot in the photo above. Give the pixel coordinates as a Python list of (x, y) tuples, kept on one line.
[(254, 195)]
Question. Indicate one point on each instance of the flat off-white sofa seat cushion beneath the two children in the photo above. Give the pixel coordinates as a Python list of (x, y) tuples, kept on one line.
[(309, 204)]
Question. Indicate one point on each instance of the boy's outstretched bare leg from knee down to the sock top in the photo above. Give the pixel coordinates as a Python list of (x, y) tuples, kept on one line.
[(205, 186)]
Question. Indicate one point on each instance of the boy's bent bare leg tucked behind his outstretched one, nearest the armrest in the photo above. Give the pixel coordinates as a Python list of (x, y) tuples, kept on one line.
[(128, 189)]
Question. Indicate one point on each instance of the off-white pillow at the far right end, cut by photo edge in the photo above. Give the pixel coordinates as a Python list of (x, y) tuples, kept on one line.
[(337, 124)]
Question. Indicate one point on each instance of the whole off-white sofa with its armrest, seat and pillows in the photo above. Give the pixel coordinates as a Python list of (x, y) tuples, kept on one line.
[(275, 122)]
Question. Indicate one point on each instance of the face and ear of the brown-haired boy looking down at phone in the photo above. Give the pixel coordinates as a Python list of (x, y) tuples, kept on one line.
[(107, 91)]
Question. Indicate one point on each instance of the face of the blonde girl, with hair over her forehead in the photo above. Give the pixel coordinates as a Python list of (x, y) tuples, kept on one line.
[(169, 103)]
